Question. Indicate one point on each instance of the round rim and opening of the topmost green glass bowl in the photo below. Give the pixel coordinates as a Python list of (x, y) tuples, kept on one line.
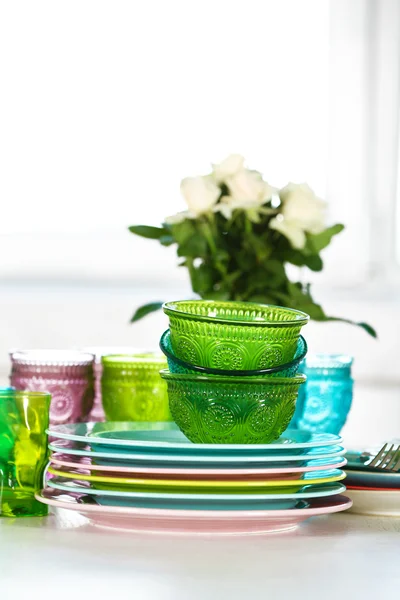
[(299, 317)]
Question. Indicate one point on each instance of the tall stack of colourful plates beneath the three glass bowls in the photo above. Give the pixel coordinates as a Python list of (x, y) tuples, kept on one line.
[(148, 476)]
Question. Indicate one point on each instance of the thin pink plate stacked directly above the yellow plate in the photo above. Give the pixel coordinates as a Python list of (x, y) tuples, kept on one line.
[(70, 462)]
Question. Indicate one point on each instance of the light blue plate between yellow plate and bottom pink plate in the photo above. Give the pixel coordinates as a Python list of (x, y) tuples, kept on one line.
[(197, 501)]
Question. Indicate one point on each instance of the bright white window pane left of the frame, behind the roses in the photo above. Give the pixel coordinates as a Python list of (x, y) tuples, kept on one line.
[(109, 105)]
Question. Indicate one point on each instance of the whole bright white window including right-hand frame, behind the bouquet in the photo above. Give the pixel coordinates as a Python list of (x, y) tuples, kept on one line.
[(108, 105)]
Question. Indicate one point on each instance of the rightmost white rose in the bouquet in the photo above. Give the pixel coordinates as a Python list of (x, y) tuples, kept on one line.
[(302, 211)]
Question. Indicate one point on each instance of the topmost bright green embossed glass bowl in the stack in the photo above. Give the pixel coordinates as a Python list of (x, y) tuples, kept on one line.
[(233, 336)]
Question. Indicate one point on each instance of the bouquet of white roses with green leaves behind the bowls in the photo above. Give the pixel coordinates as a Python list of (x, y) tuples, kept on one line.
[(239, 233)]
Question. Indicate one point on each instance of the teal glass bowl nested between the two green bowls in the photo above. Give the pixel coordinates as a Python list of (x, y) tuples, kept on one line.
[(176, 365)]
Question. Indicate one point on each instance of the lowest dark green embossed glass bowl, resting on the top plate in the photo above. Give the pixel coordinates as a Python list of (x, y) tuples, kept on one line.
[(224, 410)]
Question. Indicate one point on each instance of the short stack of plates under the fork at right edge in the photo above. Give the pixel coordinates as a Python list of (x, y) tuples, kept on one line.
[(374, 492)]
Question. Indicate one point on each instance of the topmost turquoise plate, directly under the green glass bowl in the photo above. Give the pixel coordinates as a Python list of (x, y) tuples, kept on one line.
[(167, 438)]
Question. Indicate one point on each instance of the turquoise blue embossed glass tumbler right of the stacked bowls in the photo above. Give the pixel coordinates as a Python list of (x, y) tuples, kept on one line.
[(325, 399)]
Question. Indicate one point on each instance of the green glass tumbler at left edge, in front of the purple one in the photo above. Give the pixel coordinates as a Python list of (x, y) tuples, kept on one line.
[(24, 418)]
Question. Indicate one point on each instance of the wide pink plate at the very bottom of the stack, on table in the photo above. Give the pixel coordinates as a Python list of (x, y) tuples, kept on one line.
[(221, 522)]
